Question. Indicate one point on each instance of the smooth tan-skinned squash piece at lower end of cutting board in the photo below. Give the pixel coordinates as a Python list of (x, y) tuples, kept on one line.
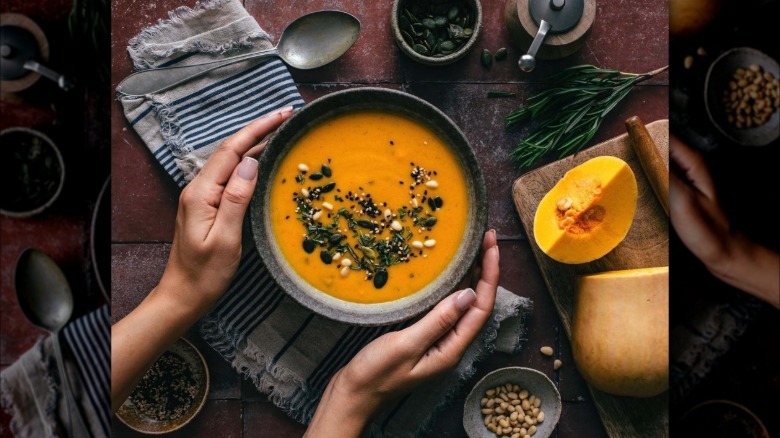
[(620, 335)]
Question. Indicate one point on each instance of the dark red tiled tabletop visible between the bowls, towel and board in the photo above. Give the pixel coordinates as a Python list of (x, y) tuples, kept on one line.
[(630, 37)]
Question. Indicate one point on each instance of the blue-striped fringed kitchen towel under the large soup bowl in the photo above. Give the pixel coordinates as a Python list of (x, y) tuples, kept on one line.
[(288, 352)]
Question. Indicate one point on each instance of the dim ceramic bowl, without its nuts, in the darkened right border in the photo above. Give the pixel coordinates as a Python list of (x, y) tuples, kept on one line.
[(717, 80)]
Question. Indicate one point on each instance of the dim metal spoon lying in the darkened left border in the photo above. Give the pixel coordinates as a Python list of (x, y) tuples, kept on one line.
[(46, 300)]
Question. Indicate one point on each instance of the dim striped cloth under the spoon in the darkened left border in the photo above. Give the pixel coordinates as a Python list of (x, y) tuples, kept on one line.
[(30, 387)]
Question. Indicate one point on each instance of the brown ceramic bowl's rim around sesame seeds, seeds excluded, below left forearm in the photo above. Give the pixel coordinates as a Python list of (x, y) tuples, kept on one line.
[(132, 417)]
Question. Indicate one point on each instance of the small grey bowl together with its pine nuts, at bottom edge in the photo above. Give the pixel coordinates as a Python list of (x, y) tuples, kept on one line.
[(512, 402)]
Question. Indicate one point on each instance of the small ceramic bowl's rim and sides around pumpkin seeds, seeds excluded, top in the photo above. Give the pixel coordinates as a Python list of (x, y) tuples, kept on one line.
[(402, 31)]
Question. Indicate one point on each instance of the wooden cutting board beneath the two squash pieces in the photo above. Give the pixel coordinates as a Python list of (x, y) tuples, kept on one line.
[(646, 245)]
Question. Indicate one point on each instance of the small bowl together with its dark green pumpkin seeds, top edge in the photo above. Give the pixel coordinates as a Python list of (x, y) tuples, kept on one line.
[(436, 32)]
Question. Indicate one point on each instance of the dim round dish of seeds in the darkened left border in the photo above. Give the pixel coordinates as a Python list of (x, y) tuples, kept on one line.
[(32, 172)]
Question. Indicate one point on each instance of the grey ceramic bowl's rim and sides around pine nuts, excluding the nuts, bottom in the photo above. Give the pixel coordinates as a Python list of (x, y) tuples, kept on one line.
[(526, 378)]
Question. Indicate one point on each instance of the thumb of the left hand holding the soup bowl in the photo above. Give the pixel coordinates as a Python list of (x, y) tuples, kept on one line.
[(236, 197)]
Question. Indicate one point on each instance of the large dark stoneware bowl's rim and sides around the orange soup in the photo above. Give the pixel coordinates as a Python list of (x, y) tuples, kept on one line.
[(322, 110)]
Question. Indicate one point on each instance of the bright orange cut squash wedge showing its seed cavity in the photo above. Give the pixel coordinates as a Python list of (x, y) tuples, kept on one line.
[(603, 188)]
